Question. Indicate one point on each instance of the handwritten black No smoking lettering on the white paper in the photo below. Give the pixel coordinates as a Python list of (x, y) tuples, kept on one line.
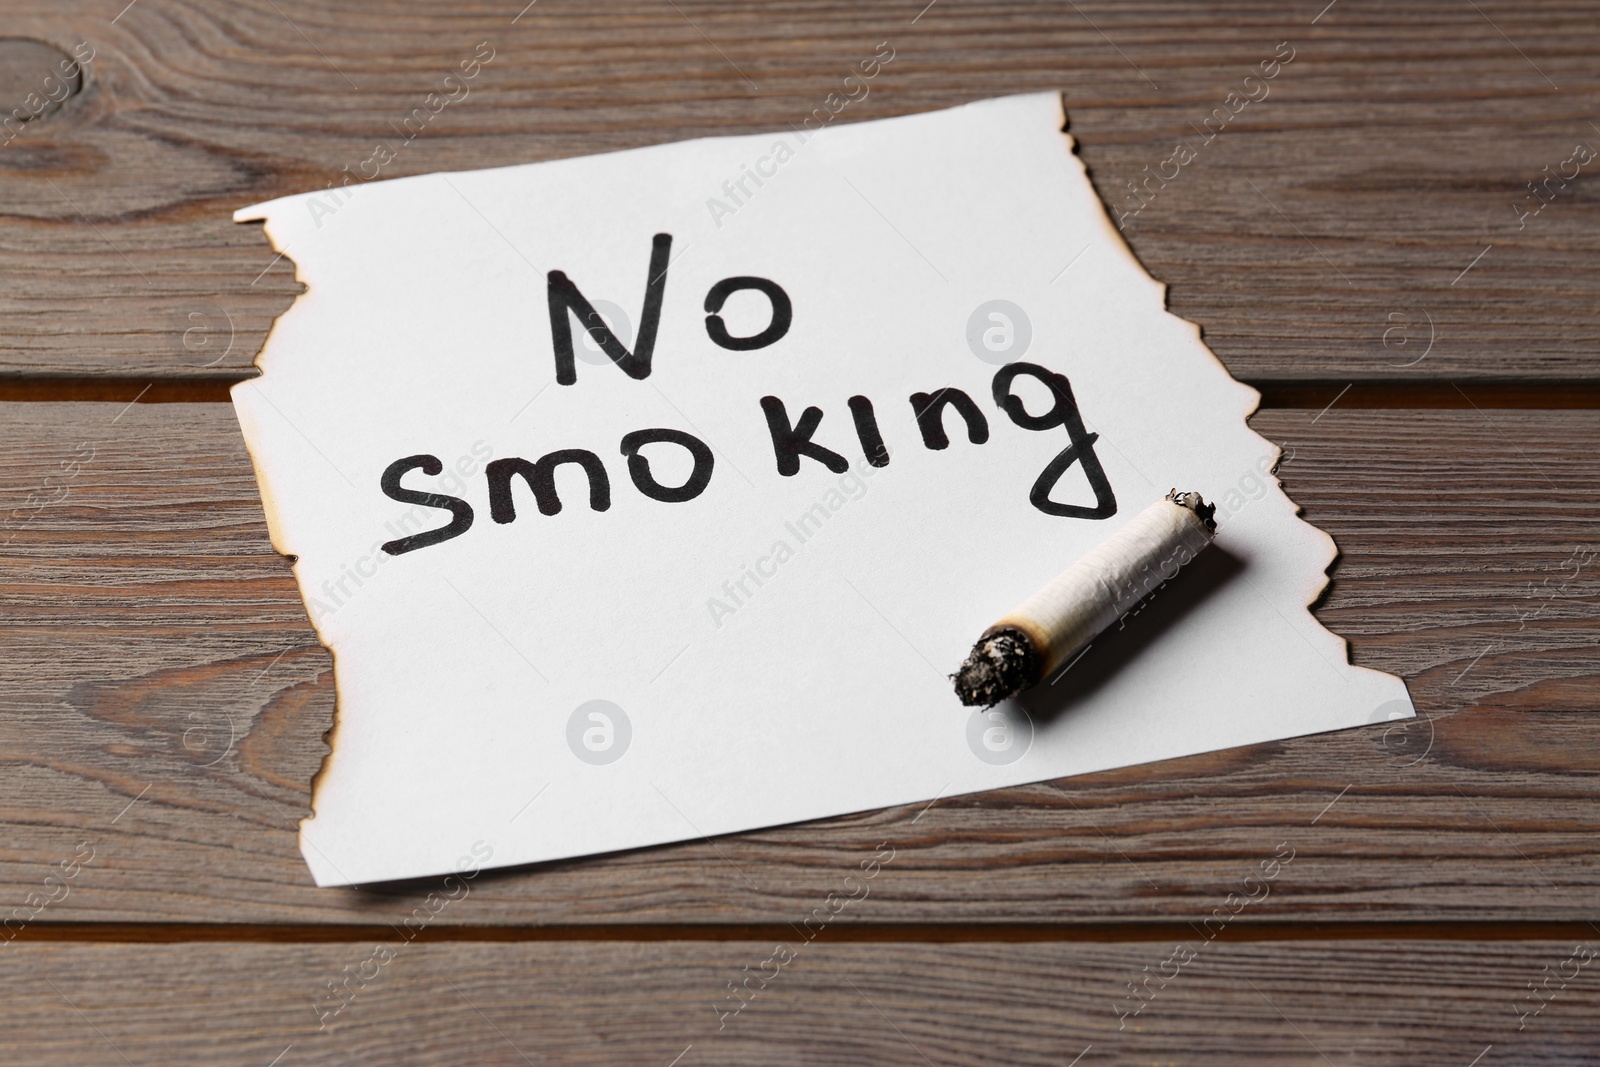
[(793, 439)]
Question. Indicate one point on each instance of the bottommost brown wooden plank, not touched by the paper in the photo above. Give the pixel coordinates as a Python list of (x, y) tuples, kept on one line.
[(822, 1002)]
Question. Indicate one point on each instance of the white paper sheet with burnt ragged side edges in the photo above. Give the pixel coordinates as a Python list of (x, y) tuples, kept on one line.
[(466, 671)]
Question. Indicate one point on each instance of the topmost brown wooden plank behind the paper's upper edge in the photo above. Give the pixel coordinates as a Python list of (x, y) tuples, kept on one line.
[(1326, 233)]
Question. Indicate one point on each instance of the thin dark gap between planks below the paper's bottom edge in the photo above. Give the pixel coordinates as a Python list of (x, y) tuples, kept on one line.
[(857, 933)]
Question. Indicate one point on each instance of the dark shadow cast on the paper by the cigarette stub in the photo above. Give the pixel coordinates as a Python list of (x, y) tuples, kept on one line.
[(1130, 637)]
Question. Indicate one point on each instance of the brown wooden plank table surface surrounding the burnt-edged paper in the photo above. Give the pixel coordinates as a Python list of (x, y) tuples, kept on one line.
[(1361, 244)]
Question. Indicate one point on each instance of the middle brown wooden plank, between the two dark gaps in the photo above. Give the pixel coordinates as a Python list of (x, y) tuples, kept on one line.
[(164, 700)]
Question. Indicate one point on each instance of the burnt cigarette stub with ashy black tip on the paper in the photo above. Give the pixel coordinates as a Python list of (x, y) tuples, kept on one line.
[(1054, 626)]
